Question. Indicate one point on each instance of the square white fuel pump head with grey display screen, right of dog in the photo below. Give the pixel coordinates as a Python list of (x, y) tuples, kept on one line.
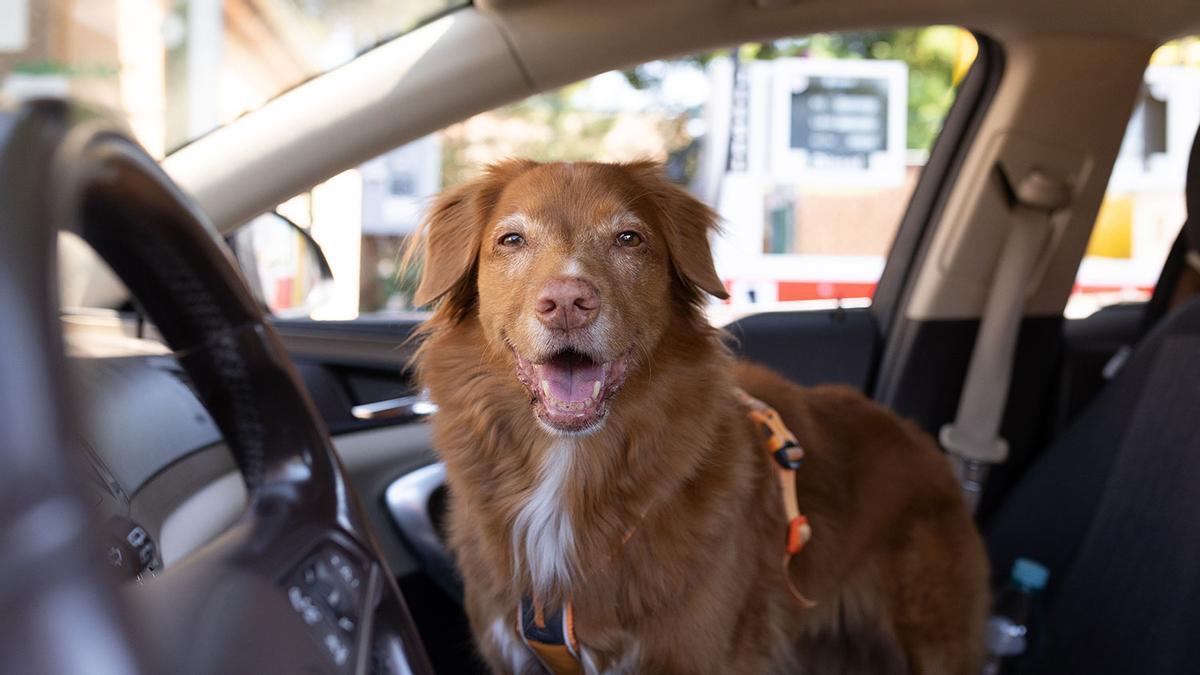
[(839, 122)]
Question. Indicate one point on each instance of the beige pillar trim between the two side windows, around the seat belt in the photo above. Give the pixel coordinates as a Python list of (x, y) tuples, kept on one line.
[(1054, 103)]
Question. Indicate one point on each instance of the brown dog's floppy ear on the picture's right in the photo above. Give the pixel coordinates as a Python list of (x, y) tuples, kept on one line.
[(688, 223)]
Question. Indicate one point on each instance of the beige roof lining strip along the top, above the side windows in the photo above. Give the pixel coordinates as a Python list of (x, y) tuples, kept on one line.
[(561, 41)]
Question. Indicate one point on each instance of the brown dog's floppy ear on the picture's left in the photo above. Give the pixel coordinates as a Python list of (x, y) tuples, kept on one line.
[(451, 235)]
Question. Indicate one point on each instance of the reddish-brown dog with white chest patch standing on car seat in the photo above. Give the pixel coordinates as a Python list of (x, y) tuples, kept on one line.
[(598, 456)]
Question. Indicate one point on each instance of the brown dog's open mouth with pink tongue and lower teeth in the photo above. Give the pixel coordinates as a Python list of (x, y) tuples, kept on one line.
[(572, 390)]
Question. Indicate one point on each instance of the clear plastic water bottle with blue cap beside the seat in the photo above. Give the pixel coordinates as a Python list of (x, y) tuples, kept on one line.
[(1011, 632)]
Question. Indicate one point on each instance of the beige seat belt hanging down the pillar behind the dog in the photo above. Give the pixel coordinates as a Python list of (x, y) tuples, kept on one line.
[(974, 438)]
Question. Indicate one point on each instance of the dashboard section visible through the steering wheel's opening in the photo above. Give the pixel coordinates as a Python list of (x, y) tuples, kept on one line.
[(161, 480)]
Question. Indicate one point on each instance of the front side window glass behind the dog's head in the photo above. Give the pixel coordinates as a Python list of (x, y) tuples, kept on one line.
[(809, 148)]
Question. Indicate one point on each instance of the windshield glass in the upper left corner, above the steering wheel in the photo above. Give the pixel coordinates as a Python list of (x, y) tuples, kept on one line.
[(179, 69)]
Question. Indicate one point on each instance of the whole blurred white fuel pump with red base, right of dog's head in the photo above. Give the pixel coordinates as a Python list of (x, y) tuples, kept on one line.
[(824, 144)]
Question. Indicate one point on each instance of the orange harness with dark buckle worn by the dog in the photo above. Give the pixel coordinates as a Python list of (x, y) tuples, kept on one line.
[(551, 638)]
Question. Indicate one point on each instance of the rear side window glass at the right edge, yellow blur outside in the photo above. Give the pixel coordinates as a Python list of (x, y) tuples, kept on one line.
[(1143, 208)]
